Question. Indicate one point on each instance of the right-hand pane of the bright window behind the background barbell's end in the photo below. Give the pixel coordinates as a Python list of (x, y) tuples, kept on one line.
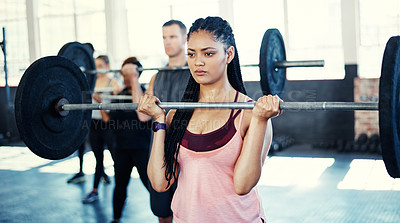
[(315, 34)]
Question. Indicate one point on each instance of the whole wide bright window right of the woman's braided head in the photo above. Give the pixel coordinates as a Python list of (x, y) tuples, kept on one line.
[(314, 33)]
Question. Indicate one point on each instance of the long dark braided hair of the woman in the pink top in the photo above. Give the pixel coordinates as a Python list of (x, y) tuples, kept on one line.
[(222, 32)]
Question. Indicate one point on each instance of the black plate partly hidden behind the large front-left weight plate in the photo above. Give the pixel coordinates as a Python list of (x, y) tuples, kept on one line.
[(82, 56)]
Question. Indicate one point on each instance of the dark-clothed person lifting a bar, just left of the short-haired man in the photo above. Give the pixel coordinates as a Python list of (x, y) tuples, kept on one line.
[(132, 142)]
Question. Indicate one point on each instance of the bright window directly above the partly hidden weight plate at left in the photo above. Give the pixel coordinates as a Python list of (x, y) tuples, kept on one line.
[(71, 20)]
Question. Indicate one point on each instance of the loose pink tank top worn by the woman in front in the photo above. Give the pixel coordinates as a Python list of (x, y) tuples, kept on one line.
[(205, 191)]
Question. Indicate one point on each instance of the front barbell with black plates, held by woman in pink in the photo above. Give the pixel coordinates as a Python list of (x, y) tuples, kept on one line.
[(53, 106)]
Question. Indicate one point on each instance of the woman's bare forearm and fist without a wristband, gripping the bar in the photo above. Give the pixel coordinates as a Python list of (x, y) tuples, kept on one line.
[(255, 145)]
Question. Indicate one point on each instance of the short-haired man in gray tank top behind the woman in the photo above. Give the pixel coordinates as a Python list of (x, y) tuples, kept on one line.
[(167, 85)]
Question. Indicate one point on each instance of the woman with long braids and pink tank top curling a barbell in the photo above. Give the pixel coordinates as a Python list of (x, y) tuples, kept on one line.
[(218, 162)]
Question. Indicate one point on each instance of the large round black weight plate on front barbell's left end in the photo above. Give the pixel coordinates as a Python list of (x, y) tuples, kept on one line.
[(45, 132)]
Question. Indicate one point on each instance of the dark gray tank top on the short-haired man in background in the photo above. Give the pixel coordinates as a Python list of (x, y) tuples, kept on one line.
[(169, 86)]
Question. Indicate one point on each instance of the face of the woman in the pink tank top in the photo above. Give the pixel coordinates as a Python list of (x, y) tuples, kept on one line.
[(207, 58)]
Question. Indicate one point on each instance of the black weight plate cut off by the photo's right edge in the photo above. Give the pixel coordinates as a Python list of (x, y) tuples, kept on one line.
[(389, 107)]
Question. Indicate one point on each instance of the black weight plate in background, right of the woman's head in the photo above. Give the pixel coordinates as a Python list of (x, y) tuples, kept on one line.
[(272, 49)]
